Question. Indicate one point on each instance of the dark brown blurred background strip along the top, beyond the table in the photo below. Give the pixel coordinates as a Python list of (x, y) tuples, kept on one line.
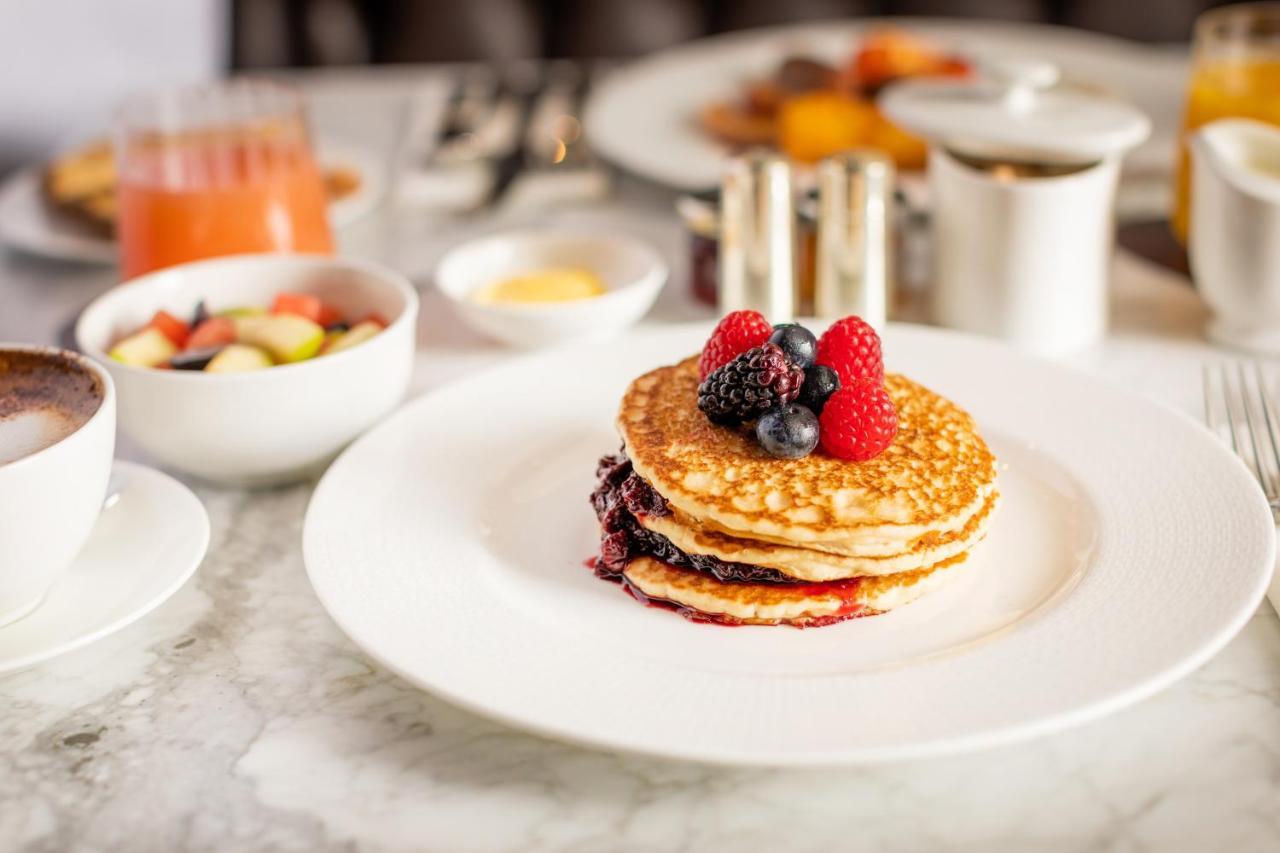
[(272, 34)]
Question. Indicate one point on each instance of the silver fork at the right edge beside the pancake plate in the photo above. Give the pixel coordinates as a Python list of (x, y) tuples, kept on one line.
[(1244, 405)]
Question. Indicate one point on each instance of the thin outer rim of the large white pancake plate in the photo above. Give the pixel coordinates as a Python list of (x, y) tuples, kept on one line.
[(998, 736)]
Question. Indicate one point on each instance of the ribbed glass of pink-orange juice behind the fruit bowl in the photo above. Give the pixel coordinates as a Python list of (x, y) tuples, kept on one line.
[(217, 171)]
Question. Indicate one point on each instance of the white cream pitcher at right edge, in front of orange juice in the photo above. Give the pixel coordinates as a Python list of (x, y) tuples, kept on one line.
[(1236, 231)]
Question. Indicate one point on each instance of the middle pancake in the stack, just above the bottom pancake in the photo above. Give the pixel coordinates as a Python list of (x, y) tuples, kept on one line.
[(817, 567)]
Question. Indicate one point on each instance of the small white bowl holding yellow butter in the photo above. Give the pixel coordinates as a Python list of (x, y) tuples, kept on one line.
[(633, 272)]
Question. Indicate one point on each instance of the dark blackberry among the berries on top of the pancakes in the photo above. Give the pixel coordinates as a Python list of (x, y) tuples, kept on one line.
[(749, 386)]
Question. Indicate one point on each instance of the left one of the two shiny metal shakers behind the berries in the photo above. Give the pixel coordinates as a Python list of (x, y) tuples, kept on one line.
[(757, 261)]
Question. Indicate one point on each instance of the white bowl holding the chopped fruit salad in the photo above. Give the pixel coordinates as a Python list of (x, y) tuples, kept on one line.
[(262, 427)]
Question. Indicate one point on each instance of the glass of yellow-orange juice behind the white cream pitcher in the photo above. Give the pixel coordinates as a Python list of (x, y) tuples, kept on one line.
[(1236, 74)]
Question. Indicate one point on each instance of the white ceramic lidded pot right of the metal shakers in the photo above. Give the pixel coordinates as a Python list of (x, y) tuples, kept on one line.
[(1023, 175)]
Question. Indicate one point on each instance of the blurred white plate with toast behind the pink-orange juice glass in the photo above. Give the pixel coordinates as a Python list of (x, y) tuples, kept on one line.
[(29, 225)]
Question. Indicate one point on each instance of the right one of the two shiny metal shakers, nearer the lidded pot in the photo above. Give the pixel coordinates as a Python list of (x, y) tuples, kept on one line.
[(856, 194)]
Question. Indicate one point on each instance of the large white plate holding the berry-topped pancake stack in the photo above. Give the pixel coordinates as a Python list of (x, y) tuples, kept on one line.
[(450, 545)]
